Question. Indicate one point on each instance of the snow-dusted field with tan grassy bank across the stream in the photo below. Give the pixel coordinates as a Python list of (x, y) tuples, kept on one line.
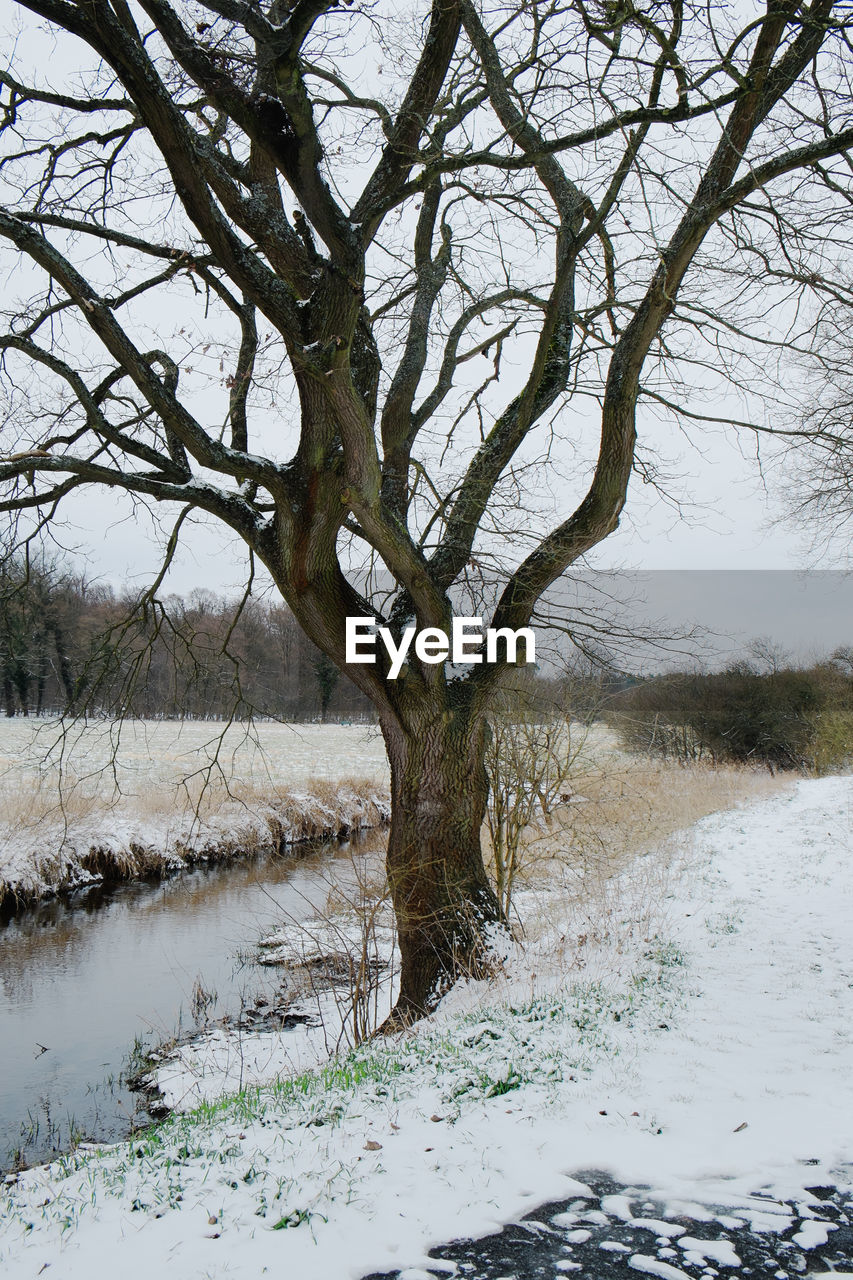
[(143, 798)]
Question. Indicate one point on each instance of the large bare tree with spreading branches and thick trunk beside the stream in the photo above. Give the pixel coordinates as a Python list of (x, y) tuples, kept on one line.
[(504, 213)]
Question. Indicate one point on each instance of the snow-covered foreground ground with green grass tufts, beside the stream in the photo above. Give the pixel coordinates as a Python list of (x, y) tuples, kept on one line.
[(690, 1030)]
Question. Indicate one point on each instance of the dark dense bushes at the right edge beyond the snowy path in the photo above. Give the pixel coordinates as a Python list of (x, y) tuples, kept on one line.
[(756, 712)]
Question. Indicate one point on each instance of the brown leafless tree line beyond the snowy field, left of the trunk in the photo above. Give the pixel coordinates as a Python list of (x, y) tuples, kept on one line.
[(71, 644)]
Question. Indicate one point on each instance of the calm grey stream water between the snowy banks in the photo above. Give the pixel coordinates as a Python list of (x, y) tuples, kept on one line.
[(83, 982)]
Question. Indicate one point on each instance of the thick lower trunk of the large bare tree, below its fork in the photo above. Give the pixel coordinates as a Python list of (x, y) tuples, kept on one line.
[(446, 909)]
